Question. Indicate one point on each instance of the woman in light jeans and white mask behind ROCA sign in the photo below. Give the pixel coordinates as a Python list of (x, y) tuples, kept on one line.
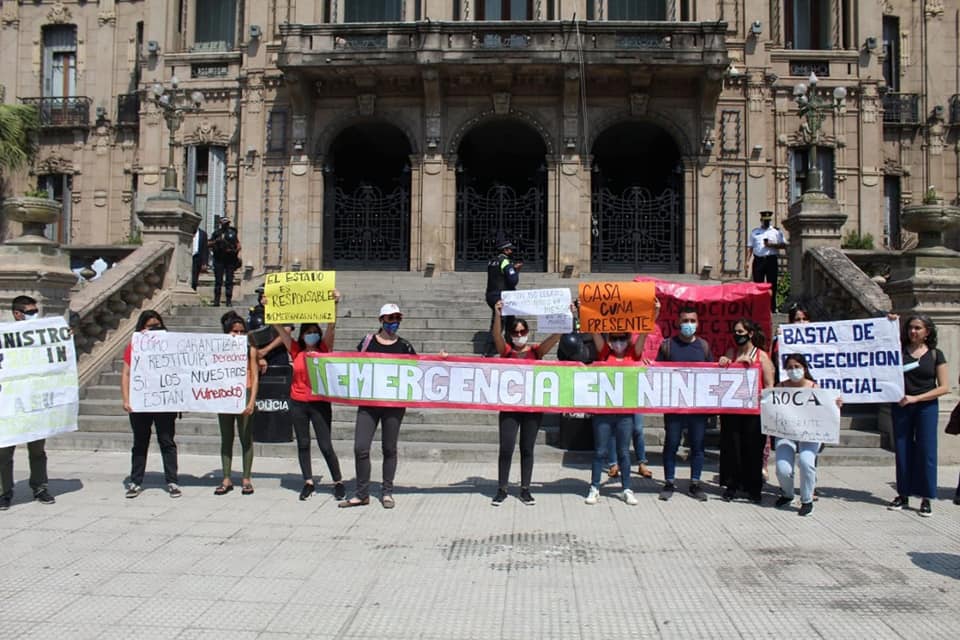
[(798, 376)]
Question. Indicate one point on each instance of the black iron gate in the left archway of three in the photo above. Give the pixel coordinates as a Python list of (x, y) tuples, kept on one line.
[(370, 229)]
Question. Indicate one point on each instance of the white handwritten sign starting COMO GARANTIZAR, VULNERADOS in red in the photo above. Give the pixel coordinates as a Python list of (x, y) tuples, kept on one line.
[(204, 372)]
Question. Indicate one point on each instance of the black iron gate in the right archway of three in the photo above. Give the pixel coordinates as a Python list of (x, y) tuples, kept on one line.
[(636, 231)]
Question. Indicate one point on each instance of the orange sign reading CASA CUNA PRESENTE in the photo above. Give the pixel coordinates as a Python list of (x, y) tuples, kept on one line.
[(608, 307)]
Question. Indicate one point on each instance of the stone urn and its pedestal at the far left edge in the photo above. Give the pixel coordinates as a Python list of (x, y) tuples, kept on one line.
[(32, 265)]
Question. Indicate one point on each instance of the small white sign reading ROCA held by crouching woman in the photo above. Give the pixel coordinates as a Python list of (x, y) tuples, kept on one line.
[(805, 414)]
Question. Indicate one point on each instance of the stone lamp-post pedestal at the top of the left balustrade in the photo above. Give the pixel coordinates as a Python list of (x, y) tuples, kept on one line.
[(168, 218)]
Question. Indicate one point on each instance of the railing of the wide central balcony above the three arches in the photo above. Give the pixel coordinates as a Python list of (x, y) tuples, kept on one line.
[(674, 43)]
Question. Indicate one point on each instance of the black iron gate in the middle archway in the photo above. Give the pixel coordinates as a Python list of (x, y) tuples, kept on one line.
[(520, 218)]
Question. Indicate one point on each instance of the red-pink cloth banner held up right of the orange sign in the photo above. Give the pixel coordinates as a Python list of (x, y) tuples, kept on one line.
[(718, 308)]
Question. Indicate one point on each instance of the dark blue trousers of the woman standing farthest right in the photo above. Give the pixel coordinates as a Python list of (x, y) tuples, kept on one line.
[(915, 445)]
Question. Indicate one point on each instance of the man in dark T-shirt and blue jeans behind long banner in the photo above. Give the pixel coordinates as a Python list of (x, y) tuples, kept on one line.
[(686, 347)]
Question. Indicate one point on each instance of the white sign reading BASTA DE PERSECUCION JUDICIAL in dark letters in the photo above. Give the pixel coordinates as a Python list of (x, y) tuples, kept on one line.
[(859, 358)]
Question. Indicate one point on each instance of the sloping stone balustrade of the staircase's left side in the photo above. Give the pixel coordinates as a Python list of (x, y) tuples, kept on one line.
[(107, 308)]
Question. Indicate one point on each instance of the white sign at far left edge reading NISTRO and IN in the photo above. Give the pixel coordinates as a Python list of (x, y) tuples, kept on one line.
[(38, 380)]
